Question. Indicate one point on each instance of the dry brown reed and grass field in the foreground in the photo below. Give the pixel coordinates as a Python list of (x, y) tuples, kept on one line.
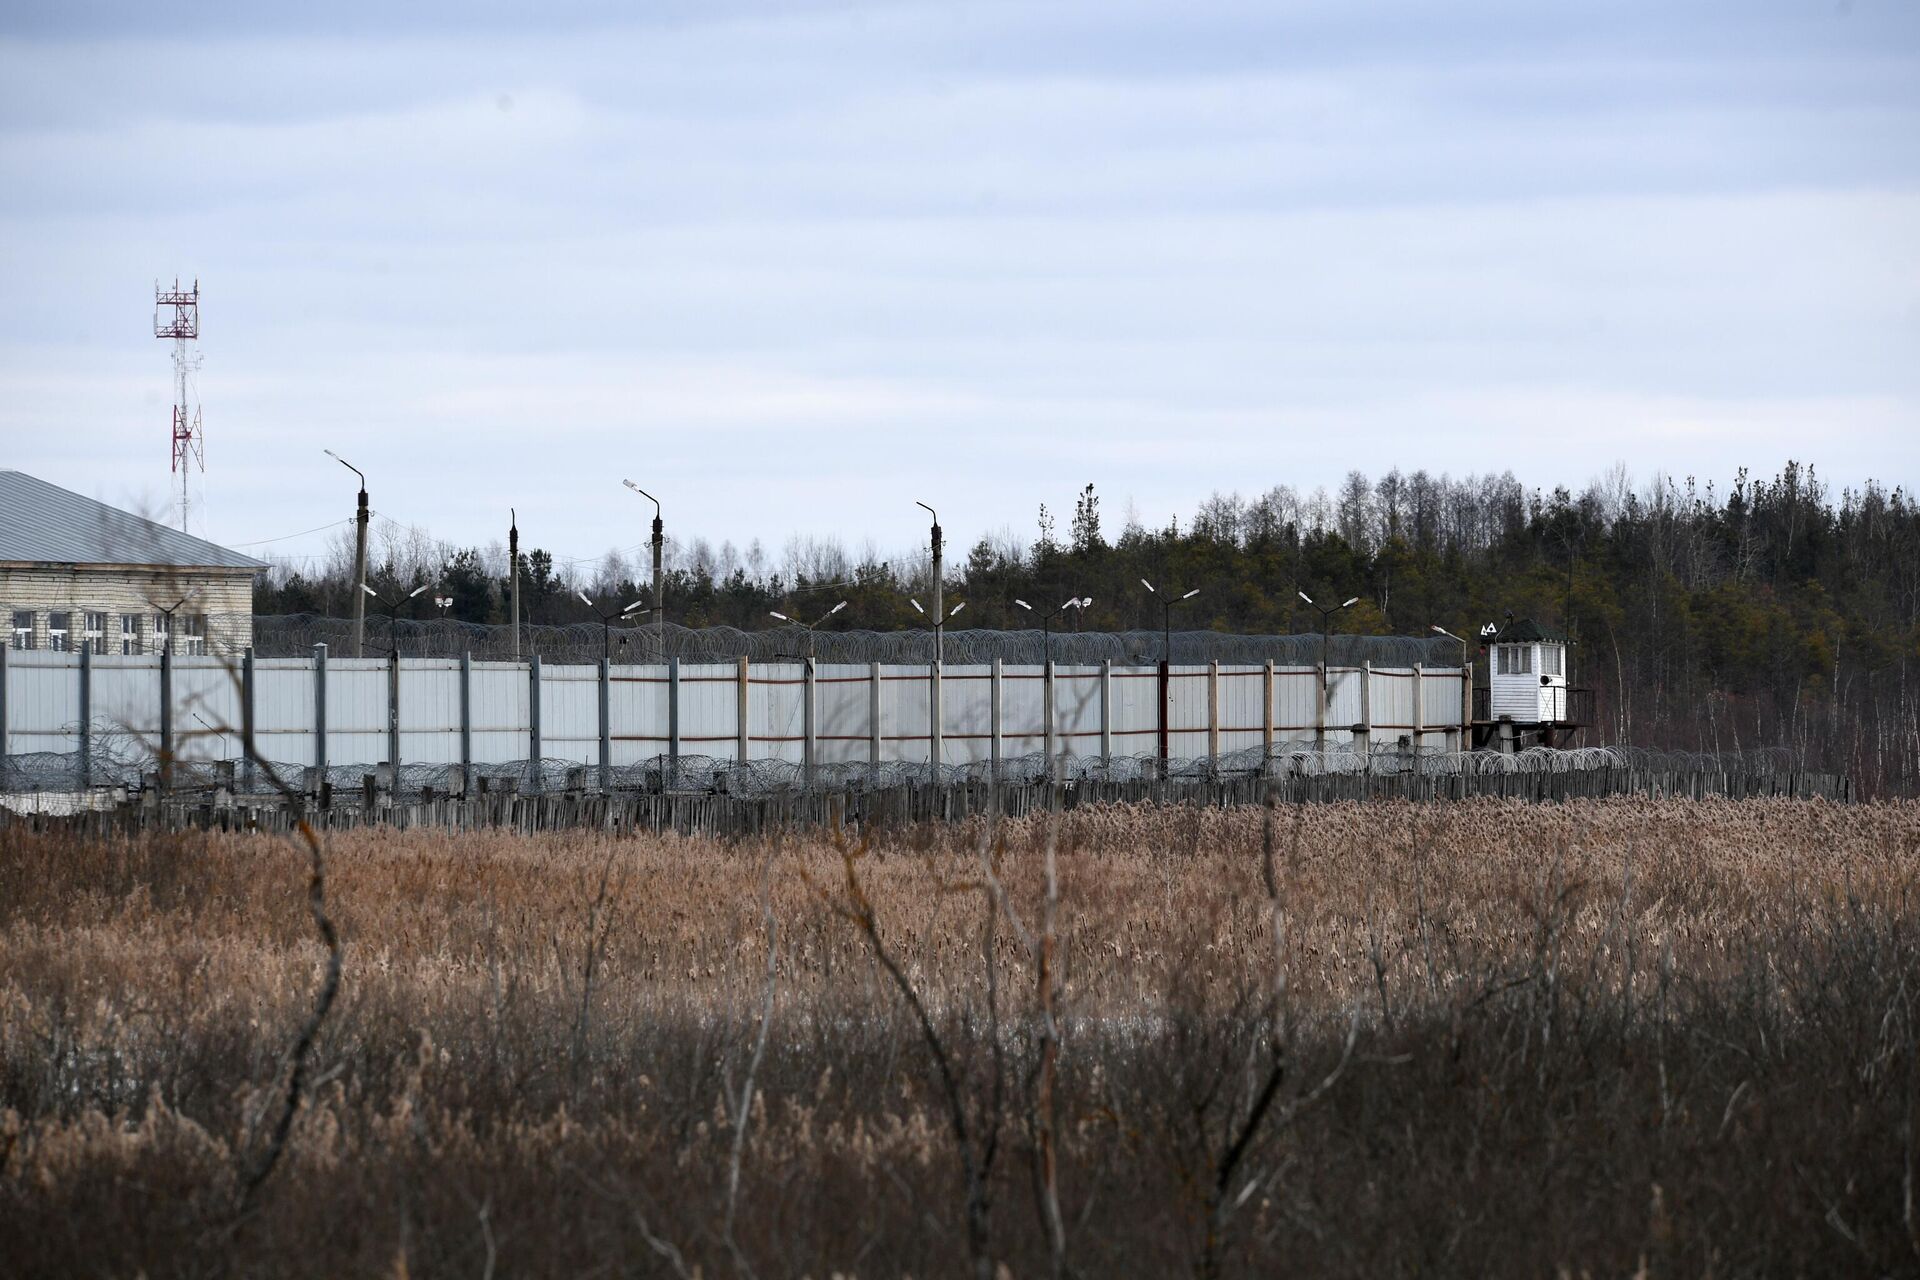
[(1600, 1039)]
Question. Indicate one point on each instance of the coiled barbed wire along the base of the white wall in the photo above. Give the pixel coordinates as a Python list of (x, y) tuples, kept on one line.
[(120, 765)]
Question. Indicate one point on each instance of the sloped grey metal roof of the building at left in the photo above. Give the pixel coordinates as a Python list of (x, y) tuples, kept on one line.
[(43, 523)]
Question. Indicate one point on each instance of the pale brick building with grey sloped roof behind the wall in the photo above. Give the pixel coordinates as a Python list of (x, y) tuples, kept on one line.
[(76, 573)]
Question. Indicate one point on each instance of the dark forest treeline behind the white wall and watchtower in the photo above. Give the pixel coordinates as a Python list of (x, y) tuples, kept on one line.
[(1775, 613)]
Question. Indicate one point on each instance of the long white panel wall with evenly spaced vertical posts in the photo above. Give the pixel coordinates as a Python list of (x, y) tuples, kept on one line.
[(320, 713)]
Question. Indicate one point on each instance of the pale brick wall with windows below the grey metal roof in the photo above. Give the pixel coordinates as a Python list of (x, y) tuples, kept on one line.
[(226, 600)]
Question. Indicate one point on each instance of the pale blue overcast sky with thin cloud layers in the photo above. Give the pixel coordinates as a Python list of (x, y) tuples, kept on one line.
[(796, 266)]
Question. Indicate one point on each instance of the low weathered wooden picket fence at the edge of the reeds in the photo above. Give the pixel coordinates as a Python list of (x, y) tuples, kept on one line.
[(894, 807)]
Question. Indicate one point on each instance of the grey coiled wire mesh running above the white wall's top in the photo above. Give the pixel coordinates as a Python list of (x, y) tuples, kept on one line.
[(295, 636)]
